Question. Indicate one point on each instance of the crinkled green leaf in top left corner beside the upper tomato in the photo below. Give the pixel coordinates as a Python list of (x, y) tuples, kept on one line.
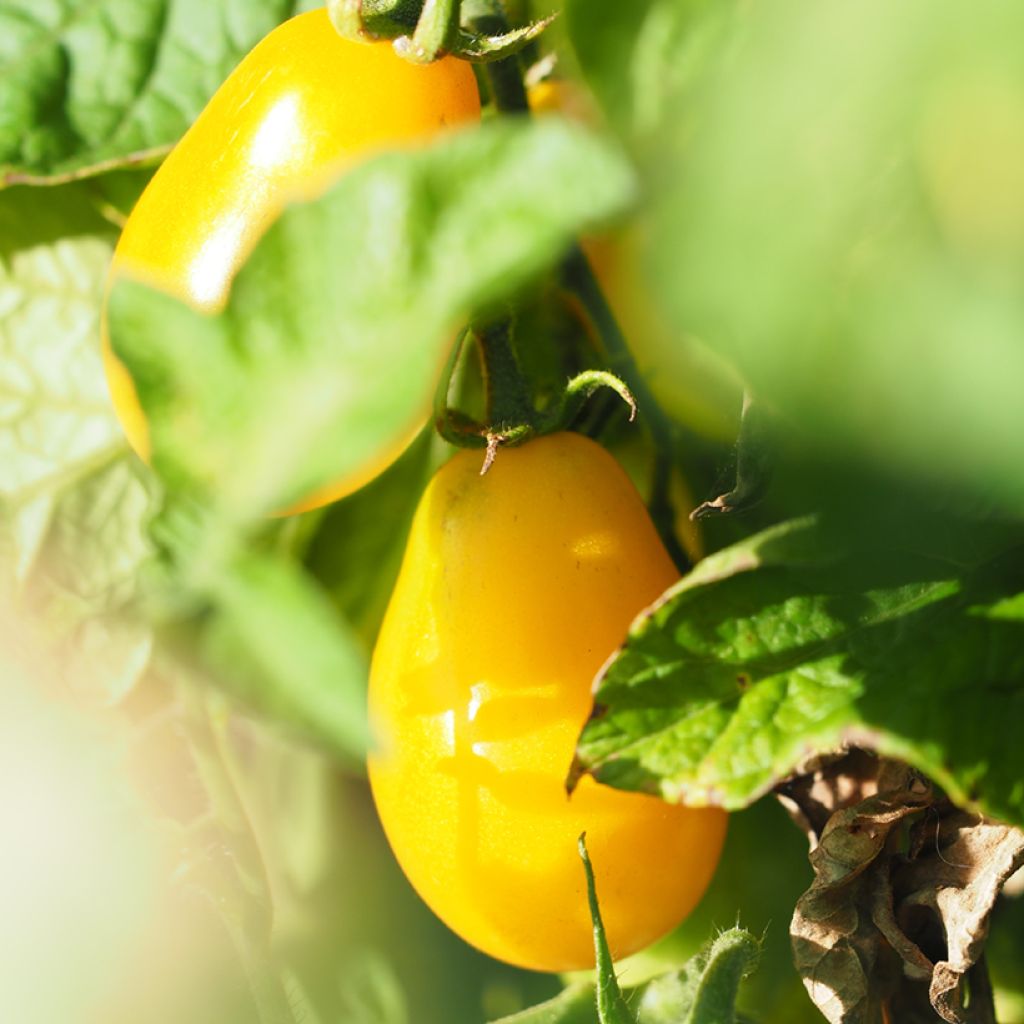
[(90, 87)]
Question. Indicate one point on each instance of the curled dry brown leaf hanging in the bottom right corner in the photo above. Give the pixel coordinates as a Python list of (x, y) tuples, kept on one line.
[(894, 926)]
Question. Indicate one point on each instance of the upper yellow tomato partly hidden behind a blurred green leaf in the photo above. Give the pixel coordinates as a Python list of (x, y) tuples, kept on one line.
[(302, 107)]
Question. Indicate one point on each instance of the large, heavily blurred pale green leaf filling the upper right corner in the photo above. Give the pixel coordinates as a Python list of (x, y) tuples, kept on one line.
[(838, 211)]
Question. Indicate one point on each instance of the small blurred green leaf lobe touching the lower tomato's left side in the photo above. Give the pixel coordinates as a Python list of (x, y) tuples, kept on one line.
[(274, 642)]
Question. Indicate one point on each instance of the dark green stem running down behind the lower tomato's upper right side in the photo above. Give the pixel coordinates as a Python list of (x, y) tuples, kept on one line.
[(579, 279)]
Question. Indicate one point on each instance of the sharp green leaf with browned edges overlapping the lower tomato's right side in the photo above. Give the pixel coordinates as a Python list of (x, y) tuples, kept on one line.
[(795, 643)]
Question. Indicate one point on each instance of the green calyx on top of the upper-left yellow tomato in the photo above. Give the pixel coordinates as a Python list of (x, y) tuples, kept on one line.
[(422, 33)]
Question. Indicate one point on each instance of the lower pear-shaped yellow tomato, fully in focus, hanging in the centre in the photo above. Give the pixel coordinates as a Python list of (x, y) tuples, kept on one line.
[(516, 588)]
